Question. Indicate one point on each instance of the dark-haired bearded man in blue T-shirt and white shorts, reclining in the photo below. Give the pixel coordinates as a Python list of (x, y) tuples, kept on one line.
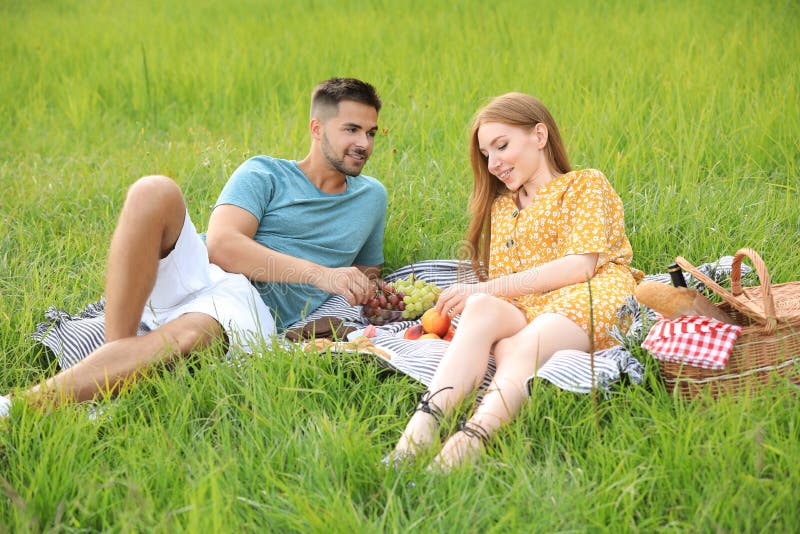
[(299, 231)]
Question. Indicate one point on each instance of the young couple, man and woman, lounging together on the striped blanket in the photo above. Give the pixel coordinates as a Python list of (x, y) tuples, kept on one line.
[(274, 249)]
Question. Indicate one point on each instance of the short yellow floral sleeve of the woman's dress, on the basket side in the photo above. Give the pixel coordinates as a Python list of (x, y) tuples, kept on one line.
[(591, 217)]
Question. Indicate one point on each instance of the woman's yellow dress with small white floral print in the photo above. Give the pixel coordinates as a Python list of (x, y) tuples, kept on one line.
[(575, 213)]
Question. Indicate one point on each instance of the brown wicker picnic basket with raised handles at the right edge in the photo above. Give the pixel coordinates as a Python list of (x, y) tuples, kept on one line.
[(768, 345)]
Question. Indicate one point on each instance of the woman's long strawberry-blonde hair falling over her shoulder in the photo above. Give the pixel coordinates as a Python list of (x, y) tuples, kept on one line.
[(514, 109)]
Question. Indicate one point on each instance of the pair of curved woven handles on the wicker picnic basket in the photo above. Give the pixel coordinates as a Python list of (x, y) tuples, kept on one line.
[(769, 322)]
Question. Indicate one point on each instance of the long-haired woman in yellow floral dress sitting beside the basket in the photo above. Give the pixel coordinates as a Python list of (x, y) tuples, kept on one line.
[(546, 234)]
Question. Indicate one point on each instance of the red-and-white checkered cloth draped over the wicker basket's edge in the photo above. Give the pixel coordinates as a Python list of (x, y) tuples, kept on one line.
[(692, 340)]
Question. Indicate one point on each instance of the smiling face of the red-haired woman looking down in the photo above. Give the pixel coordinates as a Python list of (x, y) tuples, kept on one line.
[(515, 155)]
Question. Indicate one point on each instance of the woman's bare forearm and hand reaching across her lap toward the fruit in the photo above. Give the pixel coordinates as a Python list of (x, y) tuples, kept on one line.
[(553, 275)]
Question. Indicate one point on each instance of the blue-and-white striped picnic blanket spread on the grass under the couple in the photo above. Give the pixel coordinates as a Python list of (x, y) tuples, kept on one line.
[(71, 337)]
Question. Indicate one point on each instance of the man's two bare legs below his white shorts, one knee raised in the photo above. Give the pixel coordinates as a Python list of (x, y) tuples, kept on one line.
[(149, 225)]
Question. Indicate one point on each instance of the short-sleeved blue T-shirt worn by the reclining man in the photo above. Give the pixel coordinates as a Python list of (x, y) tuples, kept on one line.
[(298, 219)]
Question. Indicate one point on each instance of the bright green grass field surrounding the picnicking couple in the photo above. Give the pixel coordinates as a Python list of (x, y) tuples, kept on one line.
[(690, 108)]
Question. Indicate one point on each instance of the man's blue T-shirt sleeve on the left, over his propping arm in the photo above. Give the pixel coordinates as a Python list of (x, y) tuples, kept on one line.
[(250, 187)]
